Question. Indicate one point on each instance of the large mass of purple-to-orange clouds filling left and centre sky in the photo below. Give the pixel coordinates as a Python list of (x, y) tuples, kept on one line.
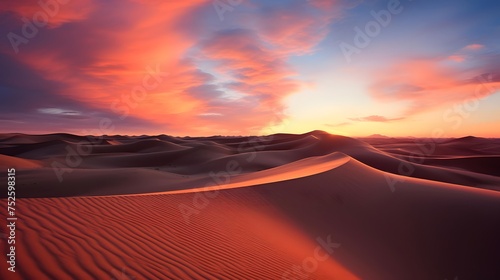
[(94, 55)]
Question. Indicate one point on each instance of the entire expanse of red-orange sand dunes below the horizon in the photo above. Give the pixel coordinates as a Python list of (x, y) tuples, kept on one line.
[(284, 206)]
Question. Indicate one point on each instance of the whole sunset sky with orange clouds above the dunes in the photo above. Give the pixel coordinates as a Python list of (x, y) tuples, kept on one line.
[(247, 67)]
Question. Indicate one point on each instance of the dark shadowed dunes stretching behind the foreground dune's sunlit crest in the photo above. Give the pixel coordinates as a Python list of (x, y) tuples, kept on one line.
[(188, 161)]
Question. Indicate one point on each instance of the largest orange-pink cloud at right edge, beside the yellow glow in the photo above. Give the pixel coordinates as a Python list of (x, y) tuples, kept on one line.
[(429, 84)]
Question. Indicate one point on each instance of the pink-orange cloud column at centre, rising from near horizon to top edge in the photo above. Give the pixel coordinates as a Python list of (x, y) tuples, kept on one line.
[(253, 61)]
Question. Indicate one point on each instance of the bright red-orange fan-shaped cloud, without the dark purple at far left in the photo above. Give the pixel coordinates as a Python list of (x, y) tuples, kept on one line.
[(109, 62)]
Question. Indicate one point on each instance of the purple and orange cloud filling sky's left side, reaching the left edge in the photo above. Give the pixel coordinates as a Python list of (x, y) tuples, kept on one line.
[(99, 60)]
